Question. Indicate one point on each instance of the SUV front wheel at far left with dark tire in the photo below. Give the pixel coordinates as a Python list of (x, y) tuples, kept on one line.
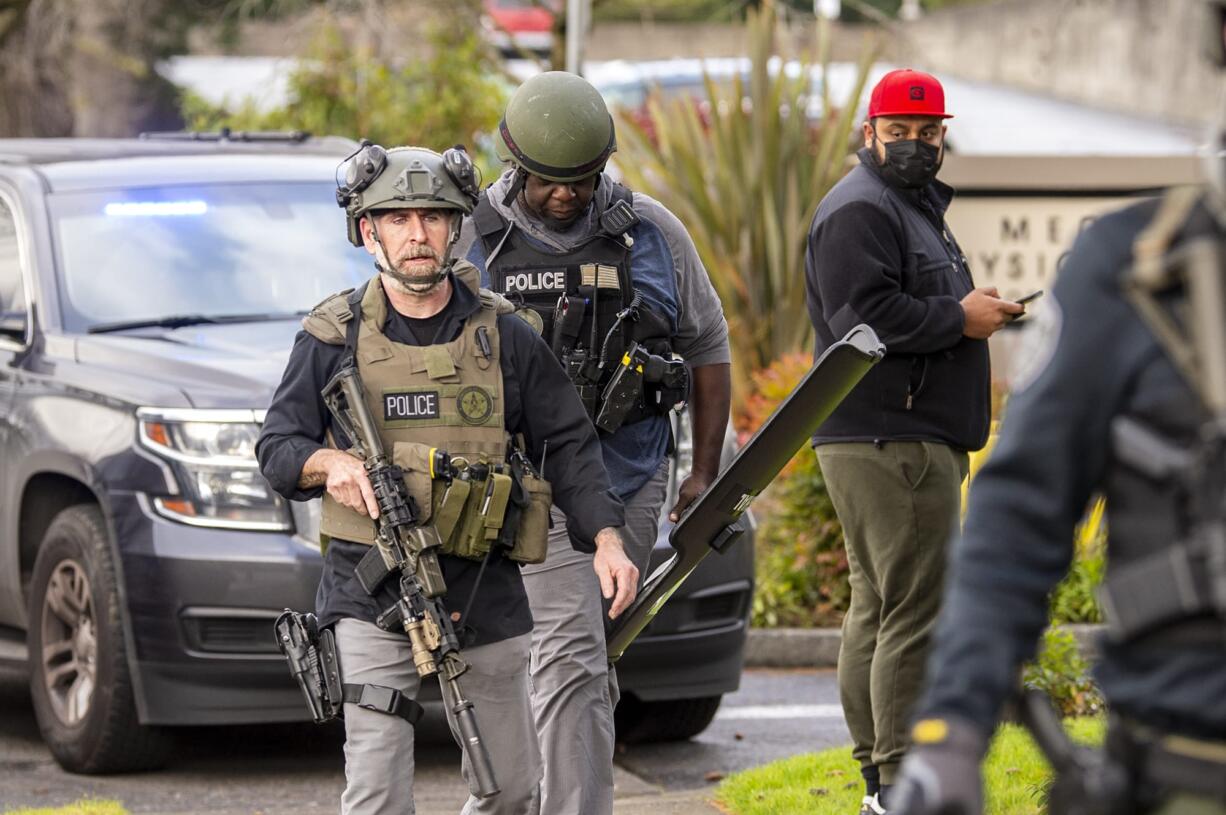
[(79, 680)]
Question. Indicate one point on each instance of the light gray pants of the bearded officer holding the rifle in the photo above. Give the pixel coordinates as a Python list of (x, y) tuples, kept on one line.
[(379, 748)]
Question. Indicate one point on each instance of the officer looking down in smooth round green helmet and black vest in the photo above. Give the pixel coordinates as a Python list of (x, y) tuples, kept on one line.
[(617, 287)]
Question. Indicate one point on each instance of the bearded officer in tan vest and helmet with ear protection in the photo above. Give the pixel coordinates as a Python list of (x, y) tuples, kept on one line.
[(447, 368)]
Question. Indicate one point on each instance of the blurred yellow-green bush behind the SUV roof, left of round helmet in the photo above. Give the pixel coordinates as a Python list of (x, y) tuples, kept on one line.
[(449, 90)]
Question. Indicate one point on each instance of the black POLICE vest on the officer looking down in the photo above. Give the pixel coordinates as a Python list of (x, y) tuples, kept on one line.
[(589, 311)]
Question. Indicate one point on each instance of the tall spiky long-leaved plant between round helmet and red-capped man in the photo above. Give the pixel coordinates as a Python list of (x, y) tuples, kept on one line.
[(745, 170)]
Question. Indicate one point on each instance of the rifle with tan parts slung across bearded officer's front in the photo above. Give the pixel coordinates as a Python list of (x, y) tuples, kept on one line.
[(411, 551)]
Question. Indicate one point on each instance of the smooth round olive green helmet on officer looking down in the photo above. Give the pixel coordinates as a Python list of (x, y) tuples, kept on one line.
[(557, 127)]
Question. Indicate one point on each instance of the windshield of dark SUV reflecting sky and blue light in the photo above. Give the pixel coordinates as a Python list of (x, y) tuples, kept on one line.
[(226, 251)]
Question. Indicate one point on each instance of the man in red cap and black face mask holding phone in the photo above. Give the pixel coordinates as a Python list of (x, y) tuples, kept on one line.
[(896, 453)]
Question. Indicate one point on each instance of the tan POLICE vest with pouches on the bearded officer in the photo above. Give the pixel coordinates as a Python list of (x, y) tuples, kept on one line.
[(441, 398)]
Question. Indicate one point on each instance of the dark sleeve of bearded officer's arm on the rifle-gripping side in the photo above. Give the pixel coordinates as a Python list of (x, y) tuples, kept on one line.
[(297, 419)]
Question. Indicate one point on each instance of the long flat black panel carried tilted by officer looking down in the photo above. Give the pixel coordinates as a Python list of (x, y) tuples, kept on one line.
[(713, 523)]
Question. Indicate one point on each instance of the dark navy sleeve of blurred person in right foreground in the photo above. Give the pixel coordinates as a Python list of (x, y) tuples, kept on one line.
[(1086, 346)]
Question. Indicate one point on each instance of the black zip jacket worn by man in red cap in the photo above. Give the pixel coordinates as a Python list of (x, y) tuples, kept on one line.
[(886, 258)]
